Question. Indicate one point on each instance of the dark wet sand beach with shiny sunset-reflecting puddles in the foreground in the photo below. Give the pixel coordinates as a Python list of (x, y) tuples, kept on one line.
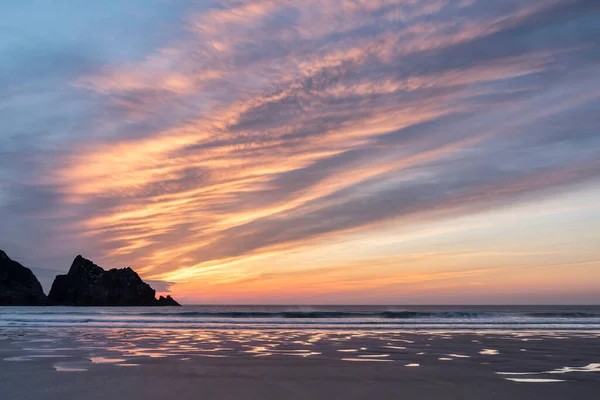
[(159, 364)]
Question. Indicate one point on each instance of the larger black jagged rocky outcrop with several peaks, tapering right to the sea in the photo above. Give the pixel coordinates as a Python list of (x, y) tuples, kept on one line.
[(87, 284)]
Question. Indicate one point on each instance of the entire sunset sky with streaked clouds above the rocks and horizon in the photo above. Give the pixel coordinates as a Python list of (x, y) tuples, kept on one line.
[(307, 152)]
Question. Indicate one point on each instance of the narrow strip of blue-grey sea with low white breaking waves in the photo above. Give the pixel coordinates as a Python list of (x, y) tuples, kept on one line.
[(389, 318)]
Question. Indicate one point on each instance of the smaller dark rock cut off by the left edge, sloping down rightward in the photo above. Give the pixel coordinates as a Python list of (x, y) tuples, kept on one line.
[(18, 285)]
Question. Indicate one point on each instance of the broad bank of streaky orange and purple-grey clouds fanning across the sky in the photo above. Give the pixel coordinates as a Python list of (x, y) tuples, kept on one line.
[(272, 125)]
